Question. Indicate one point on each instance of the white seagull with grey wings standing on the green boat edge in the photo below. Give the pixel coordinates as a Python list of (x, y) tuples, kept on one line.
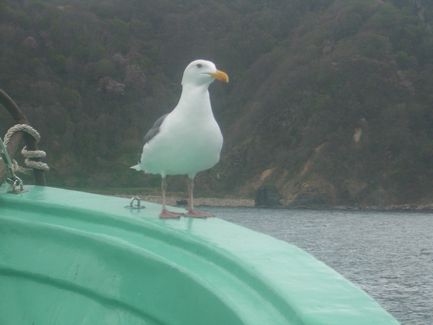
[(187, 140)]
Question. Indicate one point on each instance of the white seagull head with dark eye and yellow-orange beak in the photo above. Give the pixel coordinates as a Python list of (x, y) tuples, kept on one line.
[(202, 73)]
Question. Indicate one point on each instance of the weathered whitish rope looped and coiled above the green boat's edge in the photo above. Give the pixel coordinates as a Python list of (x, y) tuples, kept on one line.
[(27, 154)]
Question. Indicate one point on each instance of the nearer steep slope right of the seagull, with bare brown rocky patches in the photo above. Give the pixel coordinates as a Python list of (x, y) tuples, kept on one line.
[(341, 117)]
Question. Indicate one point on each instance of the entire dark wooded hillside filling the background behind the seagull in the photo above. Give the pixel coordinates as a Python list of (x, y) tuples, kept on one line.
[(330, 101)]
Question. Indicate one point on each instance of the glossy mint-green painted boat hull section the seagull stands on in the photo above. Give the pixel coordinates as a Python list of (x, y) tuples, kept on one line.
[(70, 257)]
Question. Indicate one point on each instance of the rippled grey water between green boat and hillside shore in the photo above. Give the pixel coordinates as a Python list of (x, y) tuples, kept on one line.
[(388, 254)]
